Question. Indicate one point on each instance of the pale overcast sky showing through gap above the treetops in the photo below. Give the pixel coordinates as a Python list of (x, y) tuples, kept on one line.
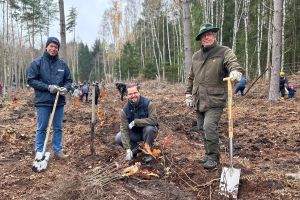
[(89, 17)]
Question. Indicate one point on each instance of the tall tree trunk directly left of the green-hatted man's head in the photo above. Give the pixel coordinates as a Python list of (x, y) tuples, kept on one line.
[(186, 18)]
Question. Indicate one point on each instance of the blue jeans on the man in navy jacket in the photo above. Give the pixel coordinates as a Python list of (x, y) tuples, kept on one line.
[(43, 115)]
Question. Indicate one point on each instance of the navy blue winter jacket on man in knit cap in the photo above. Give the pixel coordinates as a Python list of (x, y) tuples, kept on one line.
[(44, 71)]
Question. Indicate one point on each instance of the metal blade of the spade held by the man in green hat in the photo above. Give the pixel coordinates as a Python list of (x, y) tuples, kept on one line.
[(229, 183)]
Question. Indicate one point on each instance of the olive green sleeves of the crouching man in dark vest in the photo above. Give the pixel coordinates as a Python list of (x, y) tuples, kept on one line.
[(150, 121)]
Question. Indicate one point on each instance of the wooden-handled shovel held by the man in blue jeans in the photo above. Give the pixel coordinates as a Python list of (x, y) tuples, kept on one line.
[(40, 165)]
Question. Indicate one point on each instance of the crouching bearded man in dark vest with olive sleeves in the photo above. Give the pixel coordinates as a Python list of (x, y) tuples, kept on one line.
[(138, 122)]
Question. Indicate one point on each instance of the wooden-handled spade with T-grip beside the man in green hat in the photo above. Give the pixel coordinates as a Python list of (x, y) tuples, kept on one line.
[(230, 177)]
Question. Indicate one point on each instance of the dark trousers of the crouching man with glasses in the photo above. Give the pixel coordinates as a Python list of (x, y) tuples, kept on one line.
[(148, 136)]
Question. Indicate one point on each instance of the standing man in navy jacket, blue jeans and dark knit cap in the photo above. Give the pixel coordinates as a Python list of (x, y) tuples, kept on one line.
[(48, 75)]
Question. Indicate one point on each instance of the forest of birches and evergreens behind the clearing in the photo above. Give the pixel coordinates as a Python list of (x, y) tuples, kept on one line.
[(145, 39)]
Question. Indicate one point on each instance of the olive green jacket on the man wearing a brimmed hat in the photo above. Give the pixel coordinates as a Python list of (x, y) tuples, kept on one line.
[(205, 80)]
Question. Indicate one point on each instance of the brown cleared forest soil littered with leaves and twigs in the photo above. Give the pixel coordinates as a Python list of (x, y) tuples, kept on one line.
[(266, 149)]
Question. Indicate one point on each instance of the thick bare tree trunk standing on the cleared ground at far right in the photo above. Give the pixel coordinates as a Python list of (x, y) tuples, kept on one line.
[(276, 51)]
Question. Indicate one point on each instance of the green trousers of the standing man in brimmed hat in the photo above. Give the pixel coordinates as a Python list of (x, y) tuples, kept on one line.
[(207, 124)]
